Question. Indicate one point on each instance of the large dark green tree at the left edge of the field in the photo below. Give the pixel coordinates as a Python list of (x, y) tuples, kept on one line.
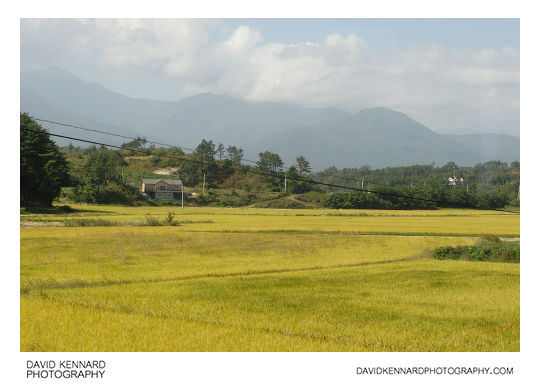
[(43, 167)]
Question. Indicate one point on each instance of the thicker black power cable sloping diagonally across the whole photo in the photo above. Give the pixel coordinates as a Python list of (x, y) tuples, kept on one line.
[(250, 170)]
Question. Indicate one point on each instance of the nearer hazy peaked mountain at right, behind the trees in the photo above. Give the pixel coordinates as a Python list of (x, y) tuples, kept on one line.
[(381, 137)]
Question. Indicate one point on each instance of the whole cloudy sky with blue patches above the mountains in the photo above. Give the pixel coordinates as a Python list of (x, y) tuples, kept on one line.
[(452, 75)]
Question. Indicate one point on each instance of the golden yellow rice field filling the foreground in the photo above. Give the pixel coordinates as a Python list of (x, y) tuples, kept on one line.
[(265, 280)]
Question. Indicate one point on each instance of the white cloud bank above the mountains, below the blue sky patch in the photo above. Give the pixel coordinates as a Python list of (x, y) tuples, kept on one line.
[(445, 89)]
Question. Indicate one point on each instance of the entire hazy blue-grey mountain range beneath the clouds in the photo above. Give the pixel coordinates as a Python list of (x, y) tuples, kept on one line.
[(378, 137)]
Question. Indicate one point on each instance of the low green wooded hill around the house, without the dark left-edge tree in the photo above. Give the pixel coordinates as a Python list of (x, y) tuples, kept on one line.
[(114, 176)]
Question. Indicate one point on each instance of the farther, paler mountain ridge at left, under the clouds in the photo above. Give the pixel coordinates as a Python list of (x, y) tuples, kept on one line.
[(184, 123)]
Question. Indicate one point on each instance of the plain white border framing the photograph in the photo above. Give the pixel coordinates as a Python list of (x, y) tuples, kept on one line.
[(273, 367)]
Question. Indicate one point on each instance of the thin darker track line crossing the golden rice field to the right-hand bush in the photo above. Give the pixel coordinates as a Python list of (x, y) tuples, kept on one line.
[(83, 284)]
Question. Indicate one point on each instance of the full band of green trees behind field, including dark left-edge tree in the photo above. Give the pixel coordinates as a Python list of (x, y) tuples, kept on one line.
[(95, 174)]
